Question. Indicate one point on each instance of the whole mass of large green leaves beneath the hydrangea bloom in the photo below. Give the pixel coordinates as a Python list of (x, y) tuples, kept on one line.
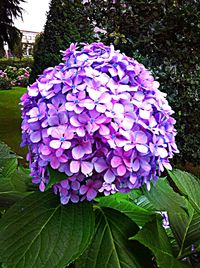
[(123, 230)]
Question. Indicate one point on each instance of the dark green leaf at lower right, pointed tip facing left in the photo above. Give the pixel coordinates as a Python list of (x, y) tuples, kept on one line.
[(154, 237)]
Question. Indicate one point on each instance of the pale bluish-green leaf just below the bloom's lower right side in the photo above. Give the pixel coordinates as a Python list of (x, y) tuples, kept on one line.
[(163, 197)]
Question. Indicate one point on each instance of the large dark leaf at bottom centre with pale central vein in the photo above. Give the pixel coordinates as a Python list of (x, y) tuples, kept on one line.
[(110, 247)]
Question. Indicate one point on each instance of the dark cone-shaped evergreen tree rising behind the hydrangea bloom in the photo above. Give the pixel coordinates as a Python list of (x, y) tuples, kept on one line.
[(66, 23)]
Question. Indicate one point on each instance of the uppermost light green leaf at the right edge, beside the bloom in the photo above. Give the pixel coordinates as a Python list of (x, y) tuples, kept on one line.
[(188, 185)]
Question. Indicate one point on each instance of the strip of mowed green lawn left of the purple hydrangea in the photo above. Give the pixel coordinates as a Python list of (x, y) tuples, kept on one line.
[(10, 119)]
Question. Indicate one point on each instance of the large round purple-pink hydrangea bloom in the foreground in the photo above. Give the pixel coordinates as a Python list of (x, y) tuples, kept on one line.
[(99, 119)]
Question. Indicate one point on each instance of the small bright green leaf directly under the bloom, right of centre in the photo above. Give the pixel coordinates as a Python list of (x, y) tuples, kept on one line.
[(135, 213)]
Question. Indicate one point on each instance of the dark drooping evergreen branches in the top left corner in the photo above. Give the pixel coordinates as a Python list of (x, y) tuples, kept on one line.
[(10, 10)]
